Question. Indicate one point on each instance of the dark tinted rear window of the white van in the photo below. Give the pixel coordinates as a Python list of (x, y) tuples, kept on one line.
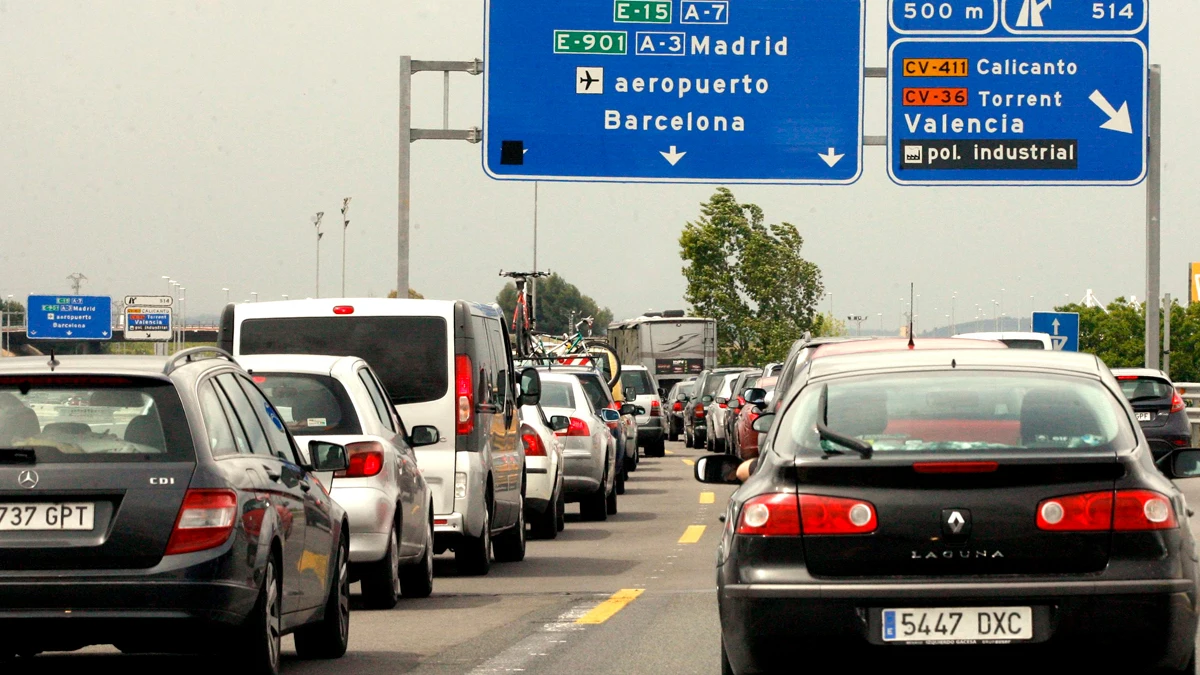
[(407, 353)]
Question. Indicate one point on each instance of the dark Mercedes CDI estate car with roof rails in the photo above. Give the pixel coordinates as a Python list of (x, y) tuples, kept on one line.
[(161, 506)]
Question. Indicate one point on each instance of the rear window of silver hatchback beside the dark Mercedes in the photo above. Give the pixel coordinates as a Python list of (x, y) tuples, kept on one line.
[(310, 404)]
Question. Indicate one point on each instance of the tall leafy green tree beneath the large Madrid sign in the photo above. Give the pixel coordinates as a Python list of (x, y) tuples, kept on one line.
[(752, 279)]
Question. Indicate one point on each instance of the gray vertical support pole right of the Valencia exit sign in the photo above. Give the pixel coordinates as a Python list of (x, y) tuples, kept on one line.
[(1154, 184)]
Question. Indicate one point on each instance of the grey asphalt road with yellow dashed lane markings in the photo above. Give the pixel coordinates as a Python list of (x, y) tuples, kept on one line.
[(526, 617)]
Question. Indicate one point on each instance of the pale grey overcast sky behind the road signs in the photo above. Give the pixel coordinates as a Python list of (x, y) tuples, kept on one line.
[(196, 140)]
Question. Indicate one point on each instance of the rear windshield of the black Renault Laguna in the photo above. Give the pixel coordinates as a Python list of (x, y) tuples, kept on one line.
[(957, 411)]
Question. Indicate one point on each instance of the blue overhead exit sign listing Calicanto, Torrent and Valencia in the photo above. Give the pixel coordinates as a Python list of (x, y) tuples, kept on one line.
[(1043, 97)]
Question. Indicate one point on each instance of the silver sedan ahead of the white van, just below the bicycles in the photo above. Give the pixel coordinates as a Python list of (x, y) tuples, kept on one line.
[(590, 457)]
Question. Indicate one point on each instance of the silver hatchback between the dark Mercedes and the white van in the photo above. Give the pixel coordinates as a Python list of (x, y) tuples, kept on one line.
[(340, 401)]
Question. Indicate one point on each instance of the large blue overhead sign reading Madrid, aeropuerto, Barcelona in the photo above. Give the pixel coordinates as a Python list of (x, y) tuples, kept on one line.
[(675, 92)]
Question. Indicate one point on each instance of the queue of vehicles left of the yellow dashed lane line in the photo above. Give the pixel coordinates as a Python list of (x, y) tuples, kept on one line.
[(323, 443)]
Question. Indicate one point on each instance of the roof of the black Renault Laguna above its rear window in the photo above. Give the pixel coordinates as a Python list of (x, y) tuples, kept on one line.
[(971, 357)]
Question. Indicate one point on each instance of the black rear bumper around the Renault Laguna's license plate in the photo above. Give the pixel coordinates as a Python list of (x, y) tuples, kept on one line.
[(1154, 620)]
